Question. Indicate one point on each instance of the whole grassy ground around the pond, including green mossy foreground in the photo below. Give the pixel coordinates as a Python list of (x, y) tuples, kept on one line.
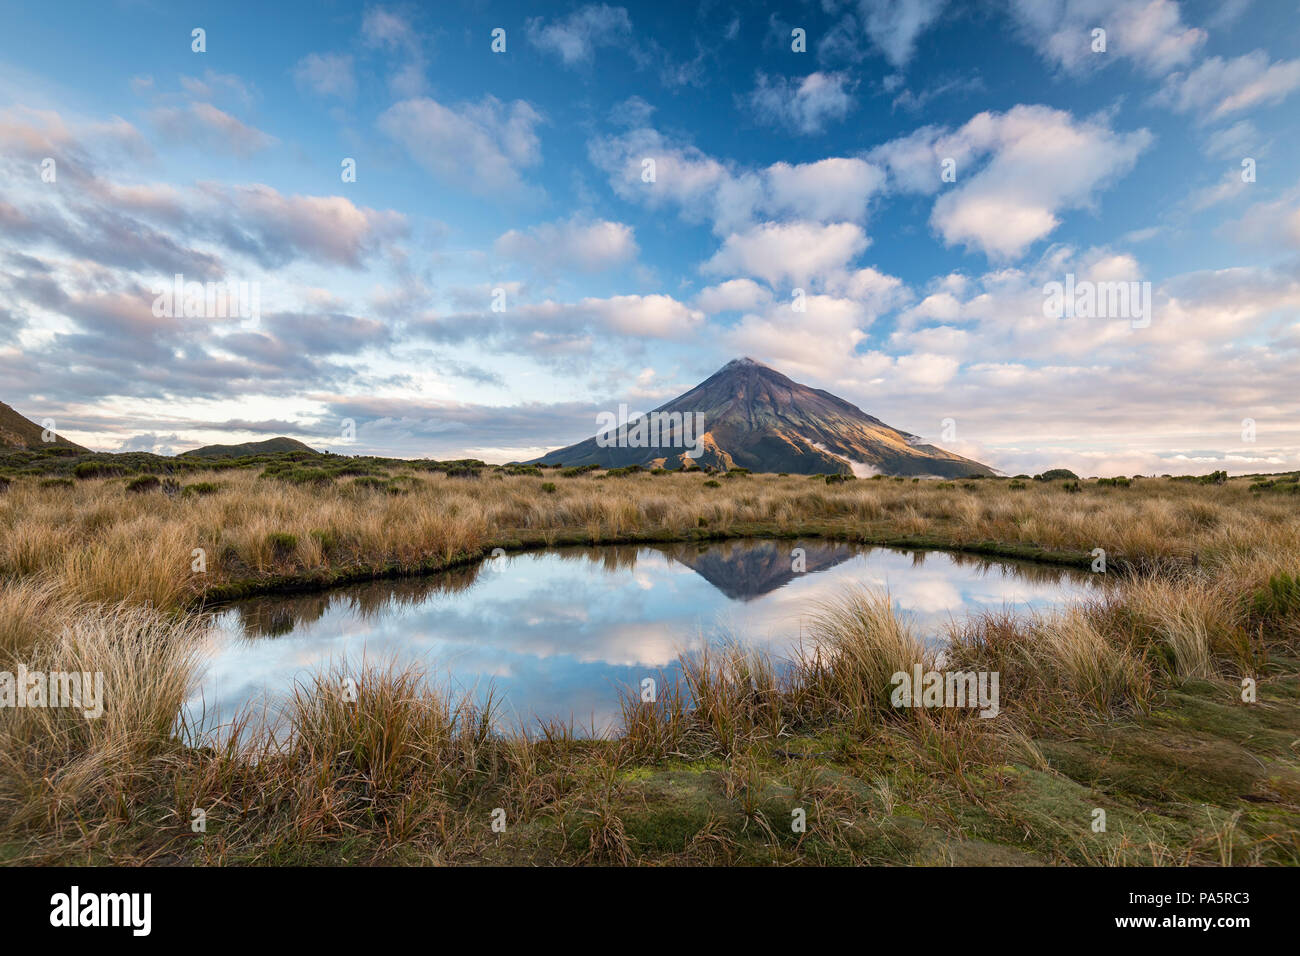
[(1132, 706)]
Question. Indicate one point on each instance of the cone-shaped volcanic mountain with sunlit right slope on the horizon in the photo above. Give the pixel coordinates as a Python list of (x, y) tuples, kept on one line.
[(756, 418)]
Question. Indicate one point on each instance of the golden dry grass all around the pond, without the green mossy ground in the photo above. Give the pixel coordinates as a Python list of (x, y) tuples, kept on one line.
[(97, 579)]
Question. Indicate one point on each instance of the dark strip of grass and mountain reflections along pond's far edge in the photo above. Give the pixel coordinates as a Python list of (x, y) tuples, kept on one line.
[(743, 570)]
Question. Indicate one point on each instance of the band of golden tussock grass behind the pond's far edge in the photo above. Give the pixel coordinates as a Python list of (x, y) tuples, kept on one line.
[(107, 544)]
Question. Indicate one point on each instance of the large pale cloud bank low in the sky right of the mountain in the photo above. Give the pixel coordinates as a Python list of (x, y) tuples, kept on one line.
[(1158, 393)]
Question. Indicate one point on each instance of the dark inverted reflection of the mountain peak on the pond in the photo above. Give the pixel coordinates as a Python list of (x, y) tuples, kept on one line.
[(744, 570)]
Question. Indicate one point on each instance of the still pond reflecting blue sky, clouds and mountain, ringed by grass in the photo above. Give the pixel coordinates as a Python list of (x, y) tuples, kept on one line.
[(556, 634)]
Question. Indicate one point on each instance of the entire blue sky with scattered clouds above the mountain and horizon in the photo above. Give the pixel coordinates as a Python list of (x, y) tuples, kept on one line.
[(775, 171)]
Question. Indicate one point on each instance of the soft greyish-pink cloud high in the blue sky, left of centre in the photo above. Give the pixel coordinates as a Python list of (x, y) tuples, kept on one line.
[(482, 146)]
